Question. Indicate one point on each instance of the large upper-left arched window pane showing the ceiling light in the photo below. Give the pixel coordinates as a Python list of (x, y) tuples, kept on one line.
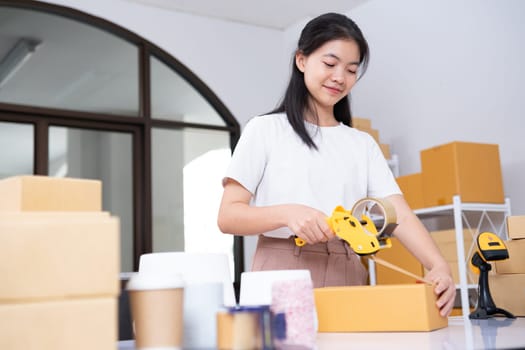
[(52, 61)]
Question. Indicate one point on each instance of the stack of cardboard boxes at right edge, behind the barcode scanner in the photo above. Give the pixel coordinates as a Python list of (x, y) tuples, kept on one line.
[(507, 286)]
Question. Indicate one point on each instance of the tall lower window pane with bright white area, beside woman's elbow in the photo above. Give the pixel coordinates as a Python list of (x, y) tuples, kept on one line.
[(187, 170)]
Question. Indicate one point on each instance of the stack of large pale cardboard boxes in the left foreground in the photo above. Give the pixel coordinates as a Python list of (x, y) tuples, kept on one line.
[(59, 265)]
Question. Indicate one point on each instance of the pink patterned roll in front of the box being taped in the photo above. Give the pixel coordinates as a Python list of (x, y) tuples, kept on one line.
[(295, 298)]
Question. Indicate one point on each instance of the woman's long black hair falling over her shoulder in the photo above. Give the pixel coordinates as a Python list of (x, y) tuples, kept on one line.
[(318, 31)]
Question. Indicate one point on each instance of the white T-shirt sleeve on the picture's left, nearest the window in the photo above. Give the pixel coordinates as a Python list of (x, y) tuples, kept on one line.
[(250, 155)]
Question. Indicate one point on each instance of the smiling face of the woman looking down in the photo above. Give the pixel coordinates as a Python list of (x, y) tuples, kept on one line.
[(330, 72)]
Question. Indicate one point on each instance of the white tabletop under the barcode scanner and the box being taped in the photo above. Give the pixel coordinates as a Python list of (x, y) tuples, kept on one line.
[(461, 333)]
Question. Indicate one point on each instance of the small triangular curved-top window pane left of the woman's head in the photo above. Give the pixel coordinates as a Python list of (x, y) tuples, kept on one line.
[(173, 98)]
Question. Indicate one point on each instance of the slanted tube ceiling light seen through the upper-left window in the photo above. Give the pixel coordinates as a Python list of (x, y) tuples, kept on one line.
[(16, 57)]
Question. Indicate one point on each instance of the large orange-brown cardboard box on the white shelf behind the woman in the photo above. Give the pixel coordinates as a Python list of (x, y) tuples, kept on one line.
[(470, 170)]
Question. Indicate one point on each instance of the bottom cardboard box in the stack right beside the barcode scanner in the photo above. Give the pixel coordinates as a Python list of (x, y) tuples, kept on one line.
[(508, 292)]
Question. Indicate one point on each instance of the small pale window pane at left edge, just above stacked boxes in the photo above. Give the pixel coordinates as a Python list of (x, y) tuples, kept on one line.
[(16, 149)]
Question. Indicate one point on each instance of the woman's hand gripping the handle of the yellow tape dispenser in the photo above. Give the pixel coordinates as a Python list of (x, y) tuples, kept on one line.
[(308, 223)]
